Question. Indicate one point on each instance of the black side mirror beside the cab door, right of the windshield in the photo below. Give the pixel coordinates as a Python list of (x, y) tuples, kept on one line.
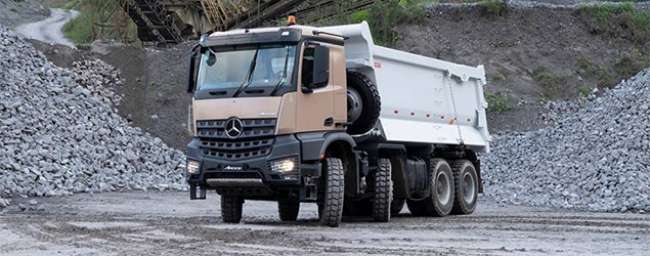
[(316, 68)]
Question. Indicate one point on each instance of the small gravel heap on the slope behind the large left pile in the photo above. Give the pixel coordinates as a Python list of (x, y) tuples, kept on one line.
[(99, 78)]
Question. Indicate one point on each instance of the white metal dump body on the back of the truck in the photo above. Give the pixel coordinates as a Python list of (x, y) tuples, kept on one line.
[(423, 100)]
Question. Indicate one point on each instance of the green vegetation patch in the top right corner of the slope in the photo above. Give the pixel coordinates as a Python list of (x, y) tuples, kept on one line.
[(619, 20)]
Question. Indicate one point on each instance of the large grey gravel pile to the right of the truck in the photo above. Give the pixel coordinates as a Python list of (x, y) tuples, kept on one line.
[(594, 157)]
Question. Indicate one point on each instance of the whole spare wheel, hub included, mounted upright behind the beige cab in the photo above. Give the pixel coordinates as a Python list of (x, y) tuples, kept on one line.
[(364, 103)]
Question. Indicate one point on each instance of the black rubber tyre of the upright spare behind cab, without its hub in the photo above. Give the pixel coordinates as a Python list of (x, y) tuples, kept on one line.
[(370, 100)]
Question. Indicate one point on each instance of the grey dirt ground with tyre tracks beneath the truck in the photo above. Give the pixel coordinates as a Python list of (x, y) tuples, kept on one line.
[(168, 223)]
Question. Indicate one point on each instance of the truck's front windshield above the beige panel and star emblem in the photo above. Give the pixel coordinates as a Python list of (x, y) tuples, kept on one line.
[(266, 66)]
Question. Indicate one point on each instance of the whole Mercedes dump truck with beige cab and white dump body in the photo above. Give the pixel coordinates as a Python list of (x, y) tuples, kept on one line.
[(302, 114)]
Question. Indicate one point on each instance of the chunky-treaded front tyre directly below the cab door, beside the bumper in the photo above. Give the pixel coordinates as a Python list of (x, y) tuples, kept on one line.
[(333, 187)]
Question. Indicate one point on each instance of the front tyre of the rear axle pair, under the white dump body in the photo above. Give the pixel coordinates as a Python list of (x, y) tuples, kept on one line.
[(434, 205)]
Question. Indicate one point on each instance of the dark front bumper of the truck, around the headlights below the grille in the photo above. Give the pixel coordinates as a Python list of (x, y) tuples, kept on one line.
[(252, 175)]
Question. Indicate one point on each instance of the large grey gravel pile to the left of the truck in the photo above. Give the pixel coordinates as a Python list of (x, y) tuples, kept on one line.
[(60, 135)]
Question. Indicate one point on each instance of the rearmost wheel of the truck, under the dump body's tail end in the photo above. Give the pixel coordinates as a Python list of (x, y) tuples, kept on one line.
[(461, 205)]
